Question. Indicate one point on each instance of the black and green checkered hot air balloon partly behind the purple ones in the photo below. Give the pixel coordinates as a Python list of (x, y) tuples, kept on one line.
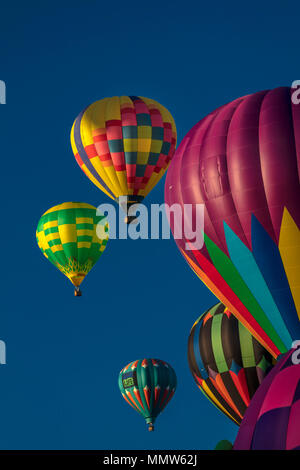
[(226, 361)]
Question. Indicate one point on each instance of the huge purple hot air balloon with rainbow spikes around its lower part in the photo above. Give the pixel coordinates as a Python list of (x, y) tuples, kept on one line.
[(242, 162)]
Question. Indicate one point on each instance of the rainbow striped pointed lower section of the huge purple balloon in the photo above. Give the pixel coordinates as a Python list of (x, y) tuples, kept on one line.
[(260, 286)]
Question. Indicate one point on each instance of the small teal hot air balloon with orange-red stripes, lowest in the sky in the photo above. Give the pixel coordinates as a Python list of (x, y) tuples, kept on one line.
[(148, 385)]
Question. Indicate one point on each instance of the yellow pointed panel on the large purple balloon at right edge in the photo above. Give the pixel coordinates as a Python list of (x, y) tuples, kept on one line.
[(289, 247)]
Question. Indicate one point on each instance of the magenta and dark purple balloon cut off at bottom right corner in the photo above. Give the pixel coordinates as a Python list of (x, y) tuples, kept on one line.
[(272, 421)]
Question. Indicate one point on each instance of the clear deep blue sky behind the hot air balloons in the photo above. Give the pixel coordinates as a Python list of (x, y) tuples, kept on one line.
[(59, 388)]
